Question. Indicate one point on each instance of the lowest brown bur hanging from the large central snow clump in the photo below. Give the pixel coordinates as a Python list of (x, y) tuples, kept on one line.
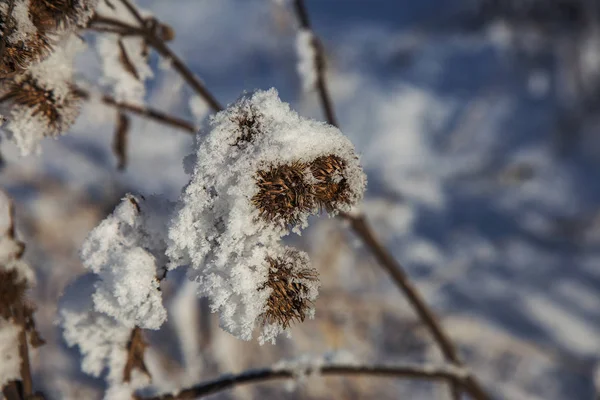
[(290, 280)]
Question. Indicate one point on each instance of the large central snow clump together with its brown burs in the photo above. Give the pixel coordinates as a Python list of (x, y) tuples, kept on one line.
[(261, 172)]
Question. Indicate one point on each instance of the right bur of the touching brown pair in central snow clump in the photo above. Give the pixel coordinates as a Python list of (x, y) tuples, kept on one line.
[(331, 188)]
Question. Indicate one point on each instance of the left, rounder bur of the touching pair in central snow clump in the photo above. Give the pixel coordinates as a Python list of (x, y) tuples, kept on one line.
[(283, 193)]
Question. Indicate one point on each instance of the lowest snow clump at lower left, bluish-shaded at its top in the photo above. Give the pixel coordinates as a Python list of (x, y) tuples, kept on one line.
[(102, 340)]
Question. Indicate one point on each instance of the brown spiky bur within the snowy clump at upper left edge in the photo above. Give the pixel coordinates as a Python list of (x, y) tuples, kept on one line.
[(58, 113)]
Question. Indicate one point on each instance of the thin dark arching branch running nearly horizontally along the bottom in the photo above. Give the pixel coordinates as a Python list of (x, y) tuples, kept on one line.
[(430, 373)]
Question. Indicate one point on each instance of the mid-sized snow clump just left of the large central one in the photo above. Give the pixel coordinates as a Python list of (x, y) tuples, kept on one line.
[(126, 251)]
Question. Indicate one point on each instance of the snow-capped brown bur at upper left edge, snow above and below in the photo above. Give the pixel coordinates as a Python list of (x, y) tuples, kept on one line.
[(42, 101)]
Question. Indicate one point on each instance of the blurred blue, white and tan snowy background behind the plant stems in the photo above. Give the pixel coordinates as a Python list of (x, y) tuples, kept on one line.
[(477, 123)]
